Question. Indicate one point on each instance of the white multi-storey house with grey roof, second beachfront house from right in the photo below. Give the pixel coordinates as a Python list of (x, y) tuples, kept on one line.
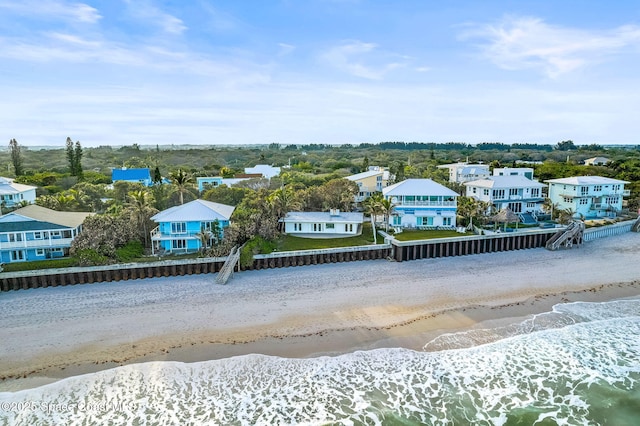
[(518, 193)]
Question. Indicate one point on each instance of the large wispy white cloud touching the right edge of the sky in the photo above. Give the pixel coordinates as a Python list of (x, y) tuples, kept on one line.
[(529, 43)]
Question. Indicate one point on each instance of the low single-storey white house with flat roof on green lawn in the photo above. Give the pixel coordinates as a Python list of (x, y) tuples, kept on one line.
[(331, 224)]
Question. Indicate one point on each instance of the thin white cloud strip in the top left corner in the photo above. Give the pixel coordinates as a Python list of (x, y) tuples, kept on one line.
[(52, 9)]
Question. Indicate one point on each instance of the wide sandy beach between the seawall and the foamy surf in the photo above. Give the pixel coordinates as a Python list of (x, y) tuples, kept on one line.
[(297, 312)]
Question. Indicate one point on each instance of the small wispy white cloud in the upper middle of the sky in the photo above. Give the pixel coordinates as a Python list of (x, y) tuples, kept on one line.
[(360, 59)]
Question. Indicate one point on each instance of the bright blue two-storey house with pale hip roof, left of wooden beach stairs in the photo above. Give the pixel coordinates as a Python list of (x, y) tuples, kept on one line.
[(189, 227)]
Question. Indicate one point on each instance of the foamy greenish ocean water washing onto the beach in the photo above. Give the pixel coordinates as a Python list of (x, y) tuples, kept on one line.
[(577, 365)]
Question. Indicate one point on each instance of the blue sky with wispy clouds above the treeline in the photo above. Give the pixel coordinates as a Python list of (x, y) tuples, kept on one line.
[(118, 72)]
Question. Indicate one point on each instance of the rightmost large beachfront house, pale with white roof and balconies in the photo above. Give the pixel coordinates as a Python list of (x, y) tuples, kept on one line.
[(588, 196)]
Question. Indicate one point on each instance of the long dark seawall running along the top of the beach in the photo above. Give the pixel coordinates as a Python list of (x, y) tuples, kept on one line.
[(399, 251)]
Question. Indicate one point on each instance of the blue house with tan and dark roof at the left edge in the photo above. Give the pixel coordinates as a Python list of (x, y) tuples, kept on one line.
[(37, 233)]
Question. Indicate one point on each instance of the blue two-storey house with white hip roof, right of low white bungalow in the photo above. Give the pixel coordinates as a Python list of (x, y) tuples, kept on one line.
[(421, 203)]
